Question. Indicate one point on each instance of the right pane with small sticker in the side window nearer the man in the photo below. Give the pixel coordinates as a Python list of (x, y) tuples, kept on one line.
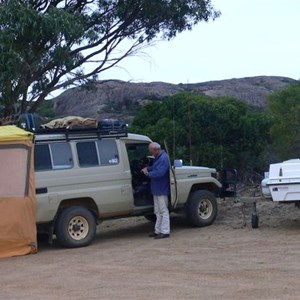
[(108, 152)]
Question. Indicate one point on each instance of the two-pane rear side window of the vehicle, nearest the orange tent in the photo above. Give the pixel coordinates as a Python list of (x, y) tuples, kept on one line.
[(53, 156)]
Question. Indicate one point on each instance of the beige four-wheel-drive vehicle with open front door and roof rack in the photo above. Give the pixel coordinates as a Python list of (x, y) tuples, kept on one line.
[(85, 176)]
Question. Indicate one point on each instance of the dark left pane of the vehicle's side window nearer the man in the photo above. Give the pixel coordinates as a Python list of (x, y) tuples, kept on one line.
[(87, 154)]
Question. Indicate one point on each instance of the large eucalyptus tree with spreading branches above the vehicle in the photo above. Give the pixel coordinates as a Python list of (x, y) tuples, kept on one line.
[(47, 45)]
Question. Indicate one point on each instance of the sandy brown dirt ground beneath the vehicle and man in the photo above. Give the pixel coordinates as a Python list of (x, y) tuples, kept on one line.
[(227, 260)]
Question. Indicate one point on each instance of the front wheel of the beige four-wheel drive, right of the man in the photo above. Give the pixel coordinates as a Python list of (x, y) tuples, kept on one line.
[(202, 208)]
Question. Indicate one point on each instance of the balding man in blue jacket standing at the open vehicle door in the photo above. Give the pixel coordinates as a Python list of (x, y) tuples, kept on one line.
[(160, 188)]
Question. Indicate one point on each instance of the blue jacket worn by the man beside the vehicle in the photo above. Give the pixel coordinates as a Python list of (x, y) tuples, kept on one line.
[(159, 175)]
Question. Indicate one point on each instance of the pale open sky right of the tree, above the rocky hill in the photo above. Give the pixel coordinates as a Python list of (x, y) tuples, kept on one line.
[(250, 38)]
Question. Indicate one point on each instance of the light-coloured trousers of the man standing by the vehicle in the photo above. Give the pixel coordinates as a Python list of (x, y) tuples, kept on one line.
[(162, 224)]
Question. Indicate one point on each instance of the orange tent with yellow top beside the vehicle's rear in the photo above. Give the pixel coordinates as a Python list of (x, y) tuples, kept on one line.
[(17, 193)]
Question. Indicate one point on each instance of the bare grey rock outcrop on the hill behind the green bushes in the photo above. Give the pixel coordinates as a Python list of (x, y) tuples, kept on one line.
[(115, 98)]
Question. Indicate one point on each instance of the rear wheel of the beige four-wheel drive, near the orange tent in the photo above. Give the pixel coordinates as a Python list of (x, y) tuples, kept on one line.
[(75, 227)]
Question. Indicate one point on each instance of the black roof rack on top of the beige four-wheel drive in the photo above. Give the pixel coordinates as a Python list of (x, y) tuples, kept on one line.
[(105, 129)]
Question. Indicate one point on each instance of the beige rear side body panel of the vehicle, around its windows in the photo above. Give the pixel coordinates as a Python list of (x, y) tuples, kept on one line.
[(109, 186)]
